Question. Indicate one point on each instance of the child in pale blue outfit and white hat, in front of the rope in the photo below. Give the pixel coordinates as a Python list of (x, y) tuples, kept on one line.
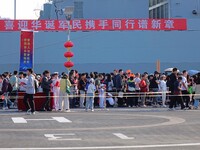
[(90, 95)]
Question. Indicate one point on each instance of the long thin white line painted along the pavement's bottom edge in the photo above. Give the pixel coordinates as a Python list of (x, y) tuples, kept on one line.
[(107, 147)]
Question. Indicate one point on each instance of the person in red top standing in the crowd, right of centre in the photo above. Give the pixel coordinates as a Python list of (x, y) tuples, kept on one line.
[(143, 89)]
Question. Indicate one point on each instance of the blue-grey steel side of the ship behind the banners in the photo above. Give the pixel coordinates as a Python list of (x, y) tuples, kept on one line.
[(106, 50)]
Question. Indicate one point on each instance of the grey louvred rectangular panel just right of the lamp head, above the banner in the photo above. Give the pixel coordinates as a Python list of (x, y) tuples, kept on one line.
[(78, 9)]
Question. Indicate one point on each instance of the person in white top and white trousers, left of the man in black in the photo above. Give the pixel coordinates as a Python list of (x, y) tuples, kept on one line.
[(163, 89)]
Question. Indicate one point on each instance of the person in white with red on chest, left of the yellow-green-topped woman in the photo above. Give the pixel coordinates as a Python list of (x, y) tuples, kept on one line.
[(56, 89)]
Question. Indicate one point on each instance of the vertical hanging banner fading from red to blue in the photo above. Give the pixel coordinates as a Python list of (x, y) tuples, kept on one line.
[(26, 50)]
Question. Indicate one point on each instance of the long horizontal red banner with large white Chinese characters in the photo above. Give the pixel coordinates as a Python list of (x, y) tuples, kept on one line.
[(94, 25)]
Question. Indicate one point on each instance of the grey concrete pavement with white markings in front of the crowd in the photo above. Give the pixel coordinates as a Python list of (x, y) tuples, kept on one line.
[(118, 128)]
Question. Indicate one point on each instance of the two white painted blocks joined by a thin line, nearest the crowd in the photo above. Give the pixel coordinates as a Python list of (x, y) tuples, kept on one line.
[(23, 120)]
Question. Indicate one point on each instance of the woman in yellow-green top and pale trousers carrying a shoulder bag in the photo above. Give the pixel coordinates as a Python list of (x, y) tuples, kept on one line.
[(65, 85)]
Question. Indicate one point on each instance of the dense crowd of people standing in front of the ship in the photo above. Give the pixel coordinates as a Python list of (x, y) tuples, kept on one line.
[(90, 90)]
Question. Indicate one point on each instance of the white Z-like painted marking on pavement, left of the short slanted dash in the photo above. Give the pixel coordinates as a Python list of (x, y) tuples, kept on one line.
[(59, 137)]
